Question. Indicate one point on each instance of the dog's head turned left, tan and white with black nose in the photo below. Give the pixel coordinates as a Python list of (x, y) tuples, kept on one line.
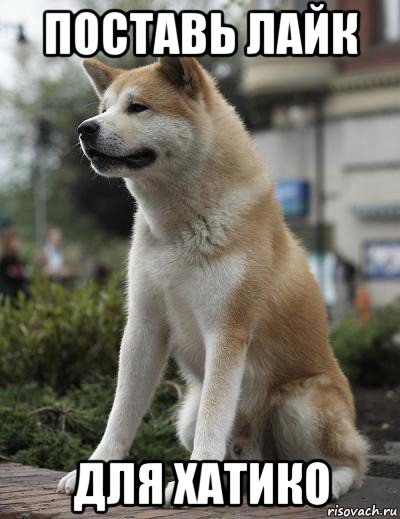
[(152, 119)]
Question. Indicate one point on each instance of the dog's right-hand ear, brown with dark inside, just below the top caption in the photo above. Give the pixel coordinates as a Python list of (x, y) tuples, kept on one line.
[(183, 72)]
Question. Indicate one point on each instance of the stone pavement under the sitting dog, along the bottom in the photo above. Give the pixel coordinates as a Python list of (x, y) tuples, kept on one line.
[(29, 493)]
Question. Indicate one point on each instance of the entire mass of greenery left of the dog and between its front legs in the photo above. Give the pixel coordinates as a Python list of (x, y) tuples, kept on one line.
[(58, 365)]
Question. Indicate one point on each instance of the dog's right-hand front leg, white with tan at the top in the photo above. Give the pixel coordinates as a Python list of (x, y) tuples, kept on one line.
[(225, 362)]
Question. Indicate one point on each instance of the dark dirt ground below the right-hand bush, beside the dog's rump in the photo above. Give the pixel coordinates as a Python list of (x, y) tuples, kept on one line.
[(378, 413)]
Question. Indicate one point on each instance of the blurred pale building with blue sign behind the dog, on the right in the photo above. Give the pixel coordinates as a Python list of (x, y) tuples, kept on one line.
[(329, 130)]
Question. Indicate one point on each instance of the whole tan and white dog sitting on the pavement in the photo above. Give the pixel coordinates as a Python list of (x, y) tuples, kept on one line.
[(217, 280)]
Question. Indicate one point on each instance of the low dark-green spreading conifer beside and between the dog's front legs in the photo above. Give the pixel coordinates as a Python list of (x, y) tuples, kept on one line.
[(43, 429)]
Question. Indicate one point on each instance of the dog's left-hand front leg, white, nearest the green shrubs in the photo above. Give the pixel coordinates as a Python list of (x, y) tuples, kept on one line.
[(143, 354)]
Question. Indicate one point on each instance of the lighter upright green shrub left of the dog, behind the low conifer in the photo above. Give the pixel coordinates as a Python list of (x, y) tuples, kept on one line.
[(61, 337)]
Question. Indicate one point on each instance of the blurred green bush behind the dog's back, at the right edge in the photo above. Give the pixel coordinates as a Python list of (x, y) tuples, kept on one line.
[(369, 353)]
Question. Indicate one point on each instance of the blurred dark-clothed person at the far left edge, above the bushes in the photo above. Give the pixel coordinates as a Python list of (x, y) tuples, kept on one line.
[(13, 277)]
